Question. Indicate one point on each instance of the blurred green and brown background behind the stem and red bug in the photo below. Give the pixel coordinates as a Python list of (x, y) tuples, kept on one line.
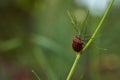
[(37, 35)]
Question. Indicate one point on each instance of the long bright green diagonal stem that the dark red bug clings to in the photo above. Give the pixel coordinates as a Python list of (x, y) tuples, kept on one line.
[(89, 42)]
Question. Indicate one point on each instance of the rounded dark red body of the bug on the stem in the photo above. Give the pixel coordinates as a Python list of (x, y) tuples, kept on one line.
[(77, 44)]
